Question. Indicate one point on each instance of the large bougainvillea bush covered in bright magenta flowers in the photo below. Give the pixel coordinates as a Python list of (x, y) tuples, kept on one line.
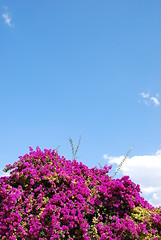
[(48, 197)]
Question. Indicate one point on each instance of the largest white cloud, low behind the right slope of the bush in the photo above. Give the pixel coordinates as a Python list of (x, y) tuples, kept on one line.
[(143, 170)]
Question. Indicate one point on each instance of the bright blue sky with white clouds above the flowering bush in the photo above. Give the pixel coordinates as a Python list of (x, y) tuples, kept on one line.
[(83, 67)]
